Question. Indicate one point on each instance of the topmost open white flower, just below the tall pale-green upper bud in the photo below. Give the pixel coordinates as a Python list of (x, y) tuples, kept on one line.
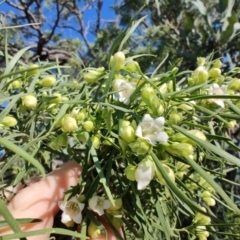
[(124, 90)]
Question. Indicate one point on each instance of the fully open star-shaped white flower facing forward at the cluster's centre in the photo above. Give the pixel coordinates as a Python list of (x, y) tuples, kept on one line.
[(152, 129)]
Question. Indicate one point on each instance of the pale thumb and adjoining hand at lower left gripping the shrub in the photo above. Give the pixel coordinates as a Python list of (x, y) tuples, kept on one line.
[(40, 200)]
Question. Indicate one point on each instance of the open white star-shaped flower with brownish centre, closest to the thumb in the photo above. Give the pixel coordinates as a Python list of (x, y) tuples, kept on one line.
[(72, 210)]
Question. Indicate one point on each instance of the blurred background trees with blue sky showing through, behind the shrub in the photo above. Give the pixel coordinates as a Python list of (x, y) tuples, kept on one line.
[(183, 31)]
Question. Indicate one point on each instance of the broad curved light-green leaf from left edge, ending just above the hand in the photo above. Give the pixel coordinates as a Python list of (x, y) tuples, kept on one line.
[(20, 152)]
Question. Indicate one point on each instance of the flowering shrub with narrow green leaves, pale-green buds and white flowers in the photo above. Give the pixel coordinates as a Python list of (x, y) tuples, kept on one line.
[(153, 147)]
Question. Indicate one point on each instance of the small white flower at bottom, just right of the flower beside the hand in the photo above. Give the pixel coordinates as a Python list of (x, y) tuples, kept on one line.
[(99, 204)]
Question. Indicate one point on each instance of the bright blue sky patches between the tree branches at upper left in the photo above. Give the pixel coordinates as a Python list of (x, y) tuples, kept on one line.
[(107, 14)]
